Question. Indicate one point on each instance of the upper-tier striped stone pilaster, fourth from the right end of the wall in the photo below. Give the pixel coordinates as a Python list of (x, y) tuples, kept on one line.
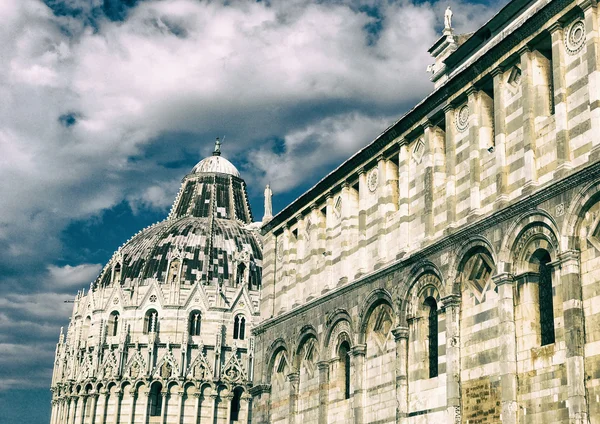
[(500, 139)]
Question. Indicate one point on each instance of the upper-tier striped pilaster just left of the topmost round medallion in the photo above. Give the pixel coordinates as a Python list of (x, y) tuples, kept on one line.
[(563, 151)]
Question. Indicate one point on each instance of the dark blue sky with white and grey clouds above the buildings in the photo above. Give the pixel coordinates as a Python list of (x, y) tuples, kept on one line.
[(107, 104)]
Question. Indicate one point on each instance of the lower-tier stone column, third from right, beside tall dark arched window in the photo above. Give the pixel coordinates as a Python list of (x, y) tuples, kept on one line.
[(453, 392)]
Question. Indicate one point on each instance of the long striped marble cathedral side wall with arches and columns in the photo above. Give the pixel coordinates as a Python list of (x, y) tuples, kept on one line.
[(449, 272)]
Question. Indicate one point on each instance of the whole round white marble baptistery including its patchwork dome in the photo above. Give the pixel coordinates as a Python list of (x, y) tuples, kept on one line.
[(163, 334)]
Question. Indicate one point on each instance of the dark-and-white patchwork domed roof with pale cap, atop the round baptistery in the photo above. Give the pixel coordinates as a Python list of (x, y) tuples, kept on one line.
[(207, 231)]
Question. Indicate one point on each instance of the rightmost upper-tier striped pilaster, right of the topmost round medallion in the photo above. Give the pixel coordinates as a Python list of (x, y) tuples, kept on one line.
[(590, 10)]
